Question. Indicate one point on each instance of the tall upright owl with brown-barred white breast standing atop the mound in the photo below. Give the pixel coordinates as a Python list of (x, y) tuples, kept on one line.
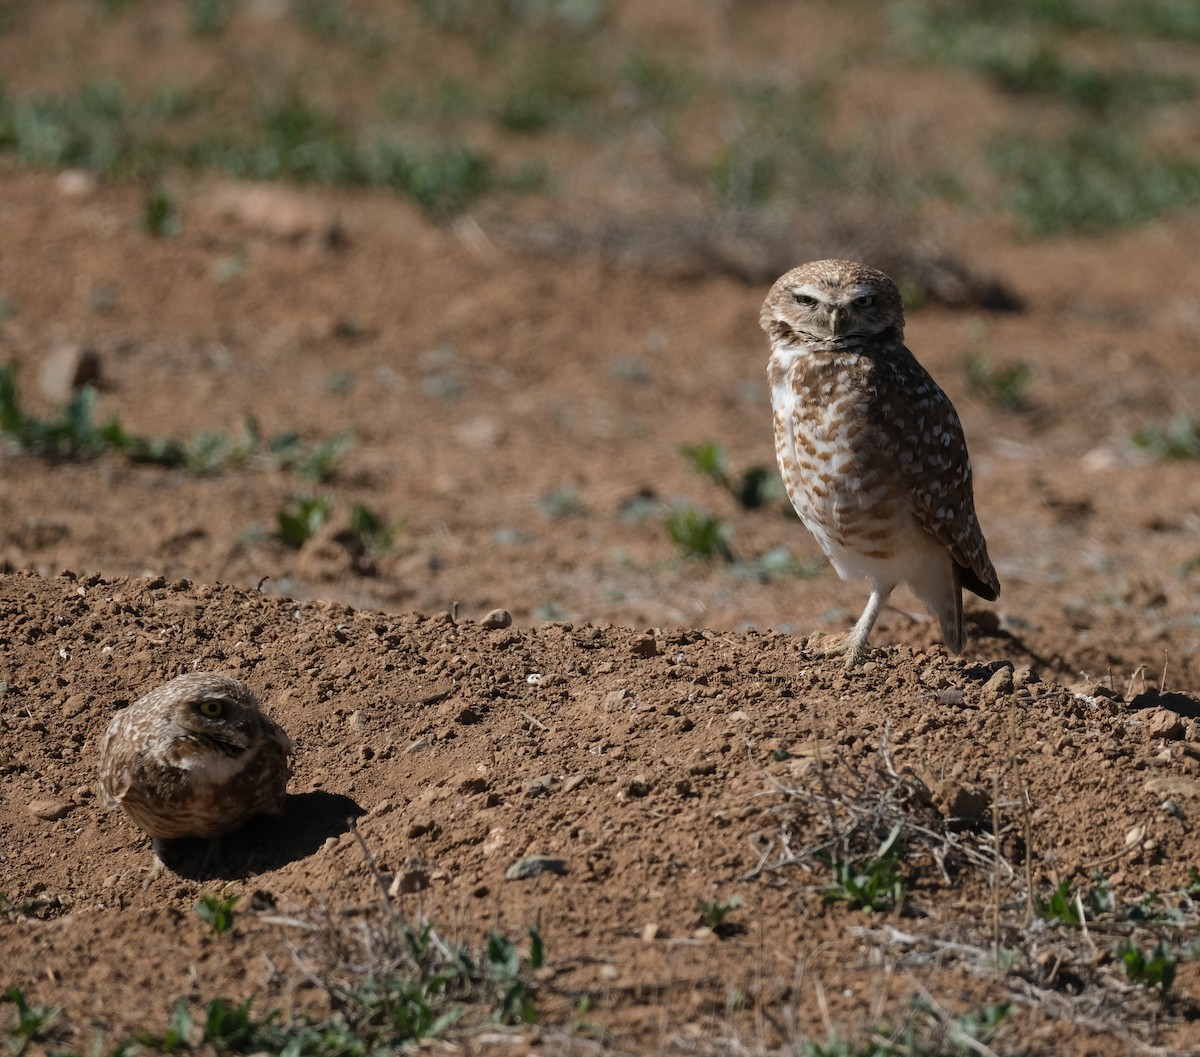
[(871, 449)]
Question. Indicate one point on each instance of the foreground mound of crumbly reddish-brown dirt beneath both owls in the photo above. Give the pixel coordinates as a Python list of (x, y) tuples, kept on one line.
[(658, 771)]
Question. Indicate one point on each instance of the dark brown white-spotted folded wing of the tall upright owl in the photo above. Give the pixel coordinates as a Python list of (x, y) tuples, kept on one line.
[(926, 439)]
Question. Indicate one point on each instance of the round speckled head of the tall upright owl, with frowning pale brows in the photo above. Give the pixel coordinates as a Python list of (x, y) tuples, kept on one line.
[(831, 301)]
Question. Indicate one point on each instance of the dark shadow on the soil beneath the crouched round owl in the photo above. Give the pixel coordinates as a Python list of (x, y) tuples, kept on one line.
[(265, 844)]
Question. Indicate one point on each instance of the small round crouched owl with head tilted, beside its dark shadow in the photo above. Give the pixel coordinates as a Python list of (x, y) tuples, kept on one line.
[(195, 758)]
